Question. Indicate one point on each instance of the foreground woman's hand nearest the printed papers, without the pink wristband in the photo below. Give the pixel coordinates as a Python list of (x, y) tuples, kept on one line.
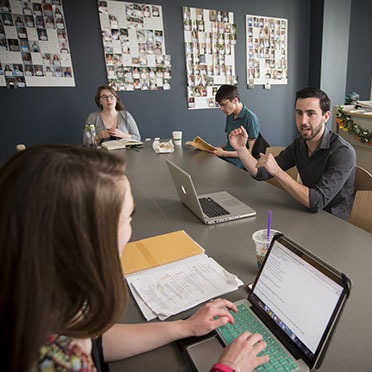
[(211, 316)]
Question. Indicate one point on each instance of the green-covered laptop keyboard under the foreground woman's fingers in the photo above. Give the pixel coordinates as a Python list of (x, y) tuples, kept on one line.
[(245, 320)]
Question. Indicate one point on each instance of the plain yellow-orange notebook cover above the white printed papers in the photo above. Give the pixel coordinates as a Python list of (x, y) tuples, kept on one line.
[(158, 250)]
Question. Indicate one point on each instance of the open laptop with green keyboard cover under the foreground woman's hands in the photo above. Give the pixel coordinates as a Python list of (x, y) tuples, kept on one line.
[(296, 299)]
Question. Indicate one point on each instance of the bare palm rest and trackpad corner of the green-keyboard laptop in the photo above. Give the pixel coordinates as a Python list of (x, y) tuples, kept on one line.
[(204, 353)]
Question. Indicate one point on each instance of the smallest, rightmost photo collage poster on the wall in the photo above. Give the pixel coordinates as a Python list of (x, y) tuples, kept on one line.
[(267, 53)]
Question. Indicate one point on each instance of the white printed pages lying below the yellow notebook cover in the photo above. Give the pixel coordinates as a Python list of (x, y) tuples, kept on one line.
[(176, 288)]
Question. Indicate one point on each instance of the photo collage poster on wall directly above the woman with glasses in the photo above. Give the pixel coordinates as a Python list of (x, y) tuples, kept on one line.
[(134, 46)]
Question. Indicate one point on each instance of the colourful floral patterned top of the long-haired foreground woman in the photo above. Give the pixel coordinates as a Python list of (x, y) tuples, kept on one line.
[(62, 354)]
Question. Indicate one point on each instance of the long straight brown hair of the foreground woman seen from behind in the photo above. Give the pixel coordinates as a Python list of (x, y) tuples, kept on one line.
[(60, 268)]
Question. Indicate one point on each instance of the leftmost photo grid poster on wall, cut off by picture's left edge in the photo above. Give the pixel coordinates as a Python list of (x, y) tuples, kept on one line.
[(34, 48)]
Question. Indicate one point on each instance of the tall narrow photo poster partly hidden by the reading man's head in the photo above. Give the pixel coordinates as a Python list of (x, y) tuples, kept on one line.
[(210, 39)]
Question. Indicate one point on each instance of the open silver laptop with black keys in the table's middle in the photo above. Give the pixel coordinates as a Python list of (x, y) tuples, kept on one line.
[(210, 208)]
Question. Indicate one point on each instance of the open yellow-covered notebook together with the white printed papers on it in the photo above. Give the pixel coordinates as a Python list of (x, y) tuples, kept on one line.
[(186, 278)]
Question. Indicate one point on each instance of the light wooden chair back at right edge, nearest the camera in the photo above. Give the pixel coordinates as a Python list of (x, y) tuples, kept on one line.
[(361, 213)]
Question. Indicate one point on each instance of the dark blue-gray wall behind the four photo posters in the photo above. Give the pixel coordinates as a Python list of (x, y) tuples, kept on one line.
[(56, 115)]
